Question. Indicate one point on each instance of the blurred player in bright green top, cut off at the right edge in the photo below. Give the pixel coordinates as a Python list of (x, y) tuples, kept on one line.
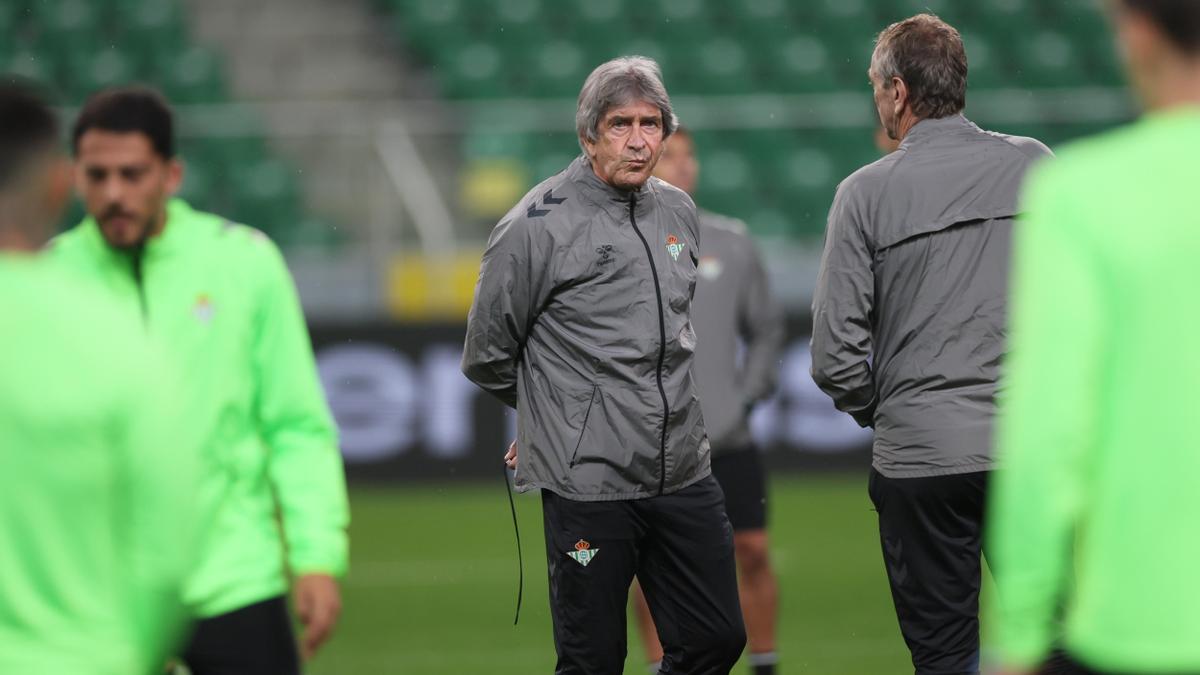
[(1096, 501)]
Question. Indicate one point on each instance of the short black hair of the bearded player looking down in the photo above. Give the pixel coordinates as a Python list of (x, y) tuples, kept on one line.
[(129, 110)]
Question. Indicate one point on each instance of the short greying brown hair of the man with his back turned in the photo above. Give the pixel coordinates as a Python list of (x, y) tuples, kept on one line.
[(928, 55)]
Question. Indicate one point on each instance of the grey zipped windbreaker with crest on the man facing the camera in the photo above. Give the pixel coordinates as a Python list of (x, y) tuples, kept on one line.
[(581, 321)]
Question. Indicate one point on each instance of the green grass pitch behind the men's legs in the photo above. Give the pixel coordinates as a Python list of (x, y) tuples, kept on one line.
[(434, 583)]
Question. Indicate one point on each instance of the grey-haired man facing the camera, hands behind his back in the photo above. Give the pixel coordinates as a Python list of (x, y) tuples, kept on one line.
[(583, 322)]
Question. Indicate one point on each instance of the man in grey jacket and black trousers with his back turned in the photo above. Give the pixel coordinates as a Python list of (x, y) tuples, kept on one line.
[(909, 325)]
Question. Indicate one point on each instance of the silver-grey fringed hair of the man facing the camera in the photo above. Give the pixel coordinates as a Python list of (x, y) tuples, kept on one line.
[(620, 82)]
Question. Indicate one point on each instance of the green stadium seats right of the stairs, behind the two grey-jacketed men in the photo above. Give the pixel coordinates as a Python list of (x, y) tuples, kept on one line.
[(781, 182)]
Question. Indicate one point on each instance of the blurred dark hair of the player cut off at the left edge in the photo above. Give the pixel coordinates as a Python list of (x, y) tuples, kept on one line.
[(28, 128)]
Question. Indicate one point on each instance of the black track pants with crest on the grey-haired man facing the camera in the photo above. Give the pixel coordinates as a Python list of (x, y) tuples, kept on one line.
[(681, 548)]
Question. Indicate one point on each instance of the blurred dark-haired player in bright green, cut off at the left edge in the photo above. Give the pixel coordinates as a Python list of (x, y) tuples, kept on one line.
[(98, 475)]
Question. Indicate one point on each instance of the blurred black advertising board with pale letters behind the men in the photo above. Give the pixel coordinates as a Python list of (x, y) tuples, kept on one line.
[(405, 411)]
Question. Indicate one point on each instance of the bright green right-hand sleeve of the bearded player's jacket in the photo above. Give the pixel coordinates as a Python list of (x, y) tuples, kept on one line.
[(305, 465)]
